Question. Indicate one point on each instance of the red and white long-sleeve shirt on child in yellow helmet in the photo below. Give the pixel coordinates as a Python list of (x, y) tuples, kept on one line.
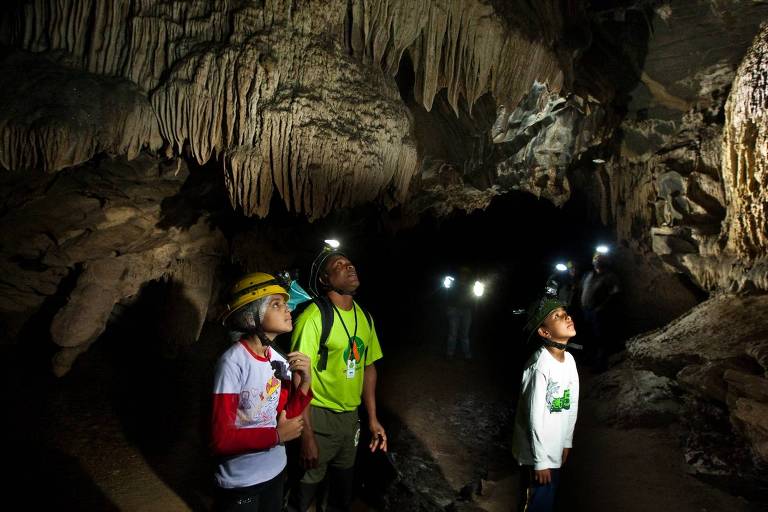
[(247, 399)]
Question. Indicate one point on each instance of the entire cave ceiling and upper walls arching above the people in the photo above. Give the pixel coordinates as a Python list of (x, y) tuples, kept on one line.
[(651, 110)]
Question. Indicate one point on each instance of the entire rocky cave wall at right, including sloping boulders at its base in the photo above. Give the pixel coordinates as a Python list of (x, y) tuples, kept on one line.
[(682, 183)]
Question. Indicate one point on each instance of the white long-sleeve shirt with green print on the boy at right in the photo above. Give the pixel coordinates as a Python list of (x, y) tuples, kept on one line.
[(547, 410)]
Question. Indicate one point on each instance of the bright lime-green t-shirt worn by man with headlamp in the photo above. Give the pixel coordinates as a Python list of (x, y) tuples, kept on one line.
[(335, 388)]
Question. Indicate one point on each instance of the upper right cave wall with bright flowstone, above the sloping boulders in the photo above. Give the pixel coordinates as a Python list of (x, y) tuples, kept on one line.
[(679, 186)]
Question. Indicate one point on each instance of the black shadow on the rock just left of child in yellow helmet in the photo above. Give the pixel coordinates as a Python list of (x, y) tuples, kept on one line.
[(161, 403)]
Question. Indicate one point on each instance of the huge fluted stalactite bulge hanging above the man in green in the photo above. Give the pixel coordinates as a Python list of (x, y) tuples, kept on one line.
[(266, 88)]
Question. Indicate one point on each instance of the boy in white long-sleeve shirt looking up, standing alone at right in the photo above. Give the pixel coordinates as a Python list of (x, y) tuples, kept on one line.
[(548, 405)]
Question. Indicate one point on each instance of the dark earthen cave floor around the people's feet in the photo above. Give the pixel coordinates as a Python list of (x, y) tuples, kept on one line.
[(123, 432)]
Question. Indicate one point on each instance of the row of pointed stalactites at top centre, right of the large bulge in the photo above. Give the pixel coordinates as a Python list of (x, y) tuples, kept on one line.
[(462, 45)]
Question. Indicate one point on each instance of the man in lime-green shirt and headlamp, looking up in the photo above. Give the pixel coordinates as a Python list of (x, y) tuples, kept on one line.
[(341, 377)]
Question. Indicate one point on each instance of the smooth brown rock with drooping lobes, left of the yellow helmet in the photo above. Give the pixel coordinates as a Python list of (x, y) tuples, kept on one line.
[(105, 230)]
